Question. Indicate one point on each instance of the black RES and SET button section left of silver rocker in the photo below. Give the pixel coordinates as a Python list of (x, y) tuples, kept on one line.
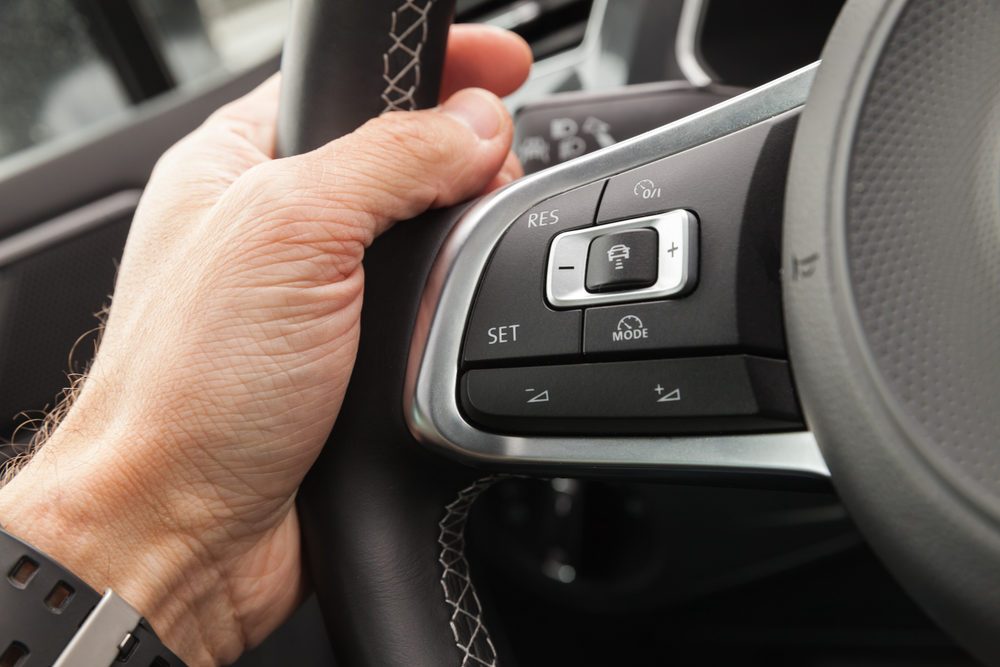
[(510, 319)]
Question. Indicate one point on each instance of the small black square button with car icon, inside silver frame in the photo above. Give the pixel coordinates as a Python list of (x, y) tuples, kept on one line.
[(622, 261)]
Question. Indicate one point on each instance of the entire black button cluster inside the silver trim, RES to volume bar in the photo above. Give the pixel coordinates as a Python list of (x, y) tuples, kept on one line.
[(573, 315)]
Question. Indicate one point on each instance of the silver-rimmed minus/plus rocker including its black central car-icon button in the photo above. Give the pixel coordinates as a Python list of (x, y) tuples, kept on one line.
[(635, 260)]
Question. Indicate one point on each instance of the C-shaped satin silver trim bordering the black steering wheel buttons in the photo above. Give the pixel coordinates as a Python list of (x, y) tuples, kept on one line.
[(430, 400)]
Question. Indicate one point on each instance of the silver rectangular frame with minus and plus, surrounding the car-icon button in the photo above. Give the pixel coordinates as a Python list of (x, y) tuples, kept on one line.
[(677, 261)]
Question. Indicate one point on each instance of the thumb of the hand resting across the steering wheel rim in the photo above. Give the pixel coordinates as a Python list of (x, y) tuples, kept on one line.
[(392, 168)]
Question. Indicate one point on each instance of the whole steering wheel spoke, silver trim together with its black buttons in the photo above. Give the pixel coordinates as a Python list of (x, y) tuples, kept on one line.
[(684, 372)]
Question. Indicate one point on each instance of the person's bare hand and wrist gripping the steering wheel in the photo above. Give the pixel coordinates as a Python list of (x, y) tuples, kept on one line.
[(228, 348)]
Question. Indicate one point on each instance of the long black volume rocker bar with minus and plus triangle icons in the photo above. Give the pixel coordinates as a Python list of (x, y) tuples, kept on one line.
[(701, 394)]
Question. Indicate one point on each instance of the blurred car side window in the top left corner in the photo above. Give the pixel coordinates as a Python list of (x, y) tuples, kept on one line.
[(66, 65)]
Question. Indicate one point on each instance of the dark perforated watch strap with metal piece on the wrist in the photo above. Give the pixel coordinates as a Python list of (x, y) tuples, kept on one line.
[(49, 616)]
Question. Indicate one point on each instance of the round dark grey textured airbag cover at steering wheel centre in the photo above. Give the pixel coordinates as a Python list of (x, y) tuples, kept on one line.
[(892, 289)]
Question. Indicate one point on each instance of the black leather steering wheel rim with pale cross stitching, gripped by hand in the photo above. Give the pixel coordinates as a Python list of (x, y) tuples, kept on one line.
[(382, 518)]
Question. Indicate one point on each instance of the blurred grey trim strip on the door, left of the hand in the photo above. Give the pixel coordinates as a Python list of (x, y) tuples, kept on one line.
[(66, 226)]
